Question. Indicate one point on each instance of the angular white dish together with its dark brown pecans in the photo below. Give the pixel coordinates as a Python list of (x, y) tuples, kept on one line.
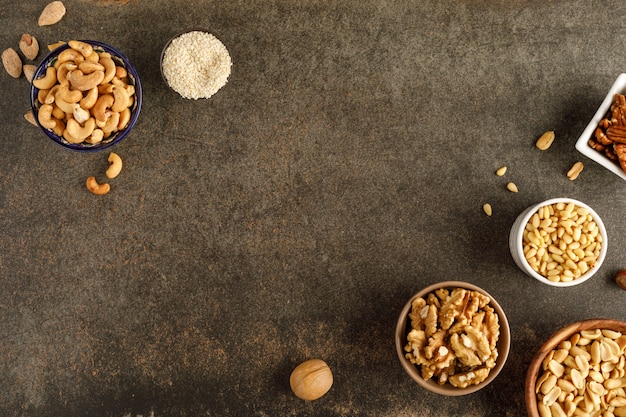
[(604, 138)]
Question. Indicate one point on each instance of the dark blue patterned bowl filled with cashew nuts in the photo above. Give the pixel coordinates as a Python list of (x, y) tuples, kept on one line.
[(86, 95)]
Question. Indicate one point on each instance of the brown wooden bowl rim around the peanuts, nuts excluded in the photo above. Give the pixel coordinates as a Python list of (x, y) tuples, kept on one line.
[(565, 333)]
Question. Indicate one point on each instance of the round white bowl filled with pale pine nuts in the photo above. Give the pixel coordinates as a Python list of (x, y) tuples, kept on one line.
[(560, 242)]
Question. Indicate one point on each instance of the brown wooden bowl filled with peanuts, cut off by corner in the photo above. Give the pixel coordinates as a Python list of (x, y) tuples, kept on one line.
[(580, 371)]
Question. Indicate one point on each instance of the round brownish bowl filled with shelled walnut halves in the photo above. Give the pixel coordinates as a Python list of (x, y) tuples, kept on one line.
[(452, 338)]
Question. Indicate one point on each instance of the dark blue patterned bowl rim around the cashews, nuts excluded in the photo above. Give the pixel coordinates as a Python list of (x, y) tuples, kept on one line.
[(121, 60)]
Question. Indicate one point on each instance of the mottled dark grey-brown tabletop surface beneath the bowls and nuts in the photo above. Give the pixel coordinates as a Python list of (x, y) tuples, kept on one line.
[(341, 169)]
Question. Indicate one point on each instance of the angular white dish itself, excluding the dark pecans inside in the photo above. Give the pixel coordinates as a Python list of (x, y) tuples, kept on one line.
[(582, 144)]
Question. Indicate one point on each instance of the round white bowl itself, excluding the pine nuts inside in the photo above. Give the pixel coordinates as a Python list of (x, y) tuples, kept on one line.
[(517, 248)]
